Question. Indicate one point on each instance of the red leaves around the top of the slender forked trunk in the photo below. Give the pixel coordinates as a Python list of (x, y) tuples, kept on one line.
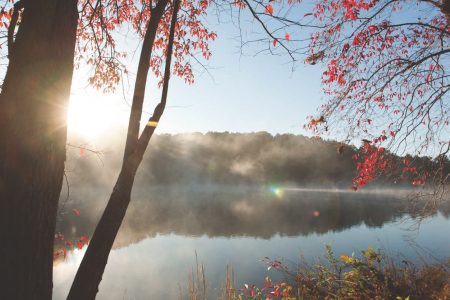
[(100, 21)]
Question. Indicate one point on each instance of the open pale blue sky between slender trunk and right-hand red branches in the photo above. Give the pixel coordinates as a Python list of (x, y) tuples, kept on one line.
[(247, 94)]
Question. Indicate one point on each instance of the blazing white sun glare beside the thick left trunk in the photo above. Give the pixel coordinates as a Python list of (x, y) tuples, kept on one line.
[(90, 117)]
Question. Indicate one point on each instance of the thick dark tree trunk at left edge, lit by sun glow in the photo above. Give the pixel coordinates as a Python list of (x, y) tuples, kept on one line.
[(33, 104)]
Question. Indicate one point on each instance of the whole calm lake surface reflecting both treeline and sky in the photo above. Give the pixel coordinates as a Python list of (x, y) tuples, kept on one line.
[(165, 226)]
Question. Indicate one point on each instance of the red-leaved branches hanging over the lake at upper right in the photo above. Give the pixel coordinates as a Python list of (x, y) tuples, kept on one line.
[(385, 77)]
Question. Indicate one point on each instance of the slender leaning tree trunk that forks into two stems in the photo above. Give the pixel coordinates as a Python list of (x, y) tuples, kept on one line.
[(90, 272)]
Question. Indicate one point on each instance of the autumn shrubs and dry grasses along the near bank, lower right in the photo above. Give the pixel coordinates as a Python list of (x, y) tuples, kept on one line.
[(371, 275)]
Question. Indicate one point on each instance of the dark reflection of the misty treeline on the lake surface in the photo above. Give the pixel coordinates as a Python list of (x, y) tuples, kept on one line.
[(231, 211)]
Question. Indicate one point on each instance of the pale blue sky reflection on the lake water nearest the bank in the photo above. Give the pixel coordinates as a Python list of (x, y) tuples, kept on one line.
[(153, 267)]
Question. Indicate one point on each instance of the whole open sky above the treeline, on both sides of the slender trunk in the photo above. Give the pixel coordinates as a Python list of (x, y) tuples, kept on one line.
[(239, 93)]
